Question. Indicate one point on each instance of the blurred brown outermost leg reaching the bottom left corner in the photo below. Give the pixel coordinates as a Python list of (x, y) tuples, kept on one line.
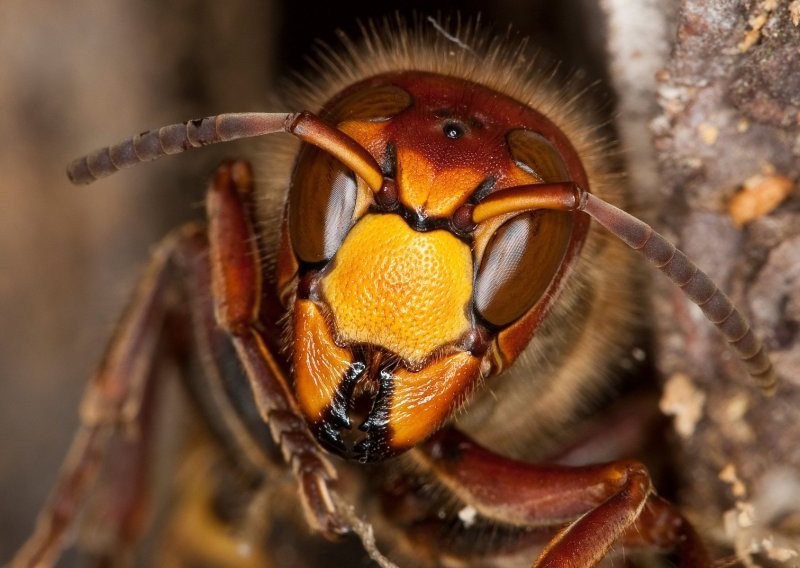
[(112, 405)]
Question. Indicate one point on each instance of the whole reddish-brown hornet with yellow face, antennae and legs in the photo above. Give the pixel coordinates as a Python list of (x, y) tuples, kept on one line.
[(436, 288)]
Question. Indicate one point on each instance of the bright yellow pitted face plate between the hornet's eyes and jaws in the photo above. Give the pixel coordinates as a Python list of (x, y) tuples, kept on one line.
[(400, 289)]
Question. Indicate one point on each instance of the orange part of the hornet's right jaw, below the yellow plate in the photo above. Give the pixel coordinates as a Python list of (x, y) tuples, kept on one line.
[(422, 401)]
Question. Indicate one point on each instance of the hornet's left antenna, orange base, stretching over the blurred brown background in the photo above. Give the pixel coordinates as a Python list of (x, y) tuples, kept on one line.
[(177, 138)]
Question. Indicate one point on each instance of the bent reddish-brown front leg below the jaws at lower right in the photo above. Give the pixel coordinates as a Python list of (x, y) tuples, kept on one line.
[(598, 505)]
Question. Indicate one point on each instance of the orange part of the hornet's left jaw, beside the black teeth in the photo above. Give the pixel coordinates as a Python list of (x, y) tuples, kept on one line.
[(320, 365)]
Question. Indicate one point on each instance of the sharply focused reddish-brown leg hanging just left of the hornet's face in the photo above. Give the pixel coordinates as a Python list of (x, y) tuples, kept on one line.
[(236, 277)]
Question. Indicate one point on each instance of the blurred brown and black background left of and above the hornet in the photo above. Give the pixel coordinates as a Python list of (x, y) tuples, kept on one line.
[(81, 74)]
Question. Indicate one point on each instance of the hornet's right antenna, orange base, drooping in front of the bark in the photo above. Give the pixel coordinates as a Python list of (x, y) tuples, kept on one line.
[(640, 236)]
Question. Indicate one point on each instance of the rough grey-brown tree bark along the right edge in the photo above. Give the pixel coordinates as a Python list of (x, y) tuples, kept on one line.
[(726, 142)]
